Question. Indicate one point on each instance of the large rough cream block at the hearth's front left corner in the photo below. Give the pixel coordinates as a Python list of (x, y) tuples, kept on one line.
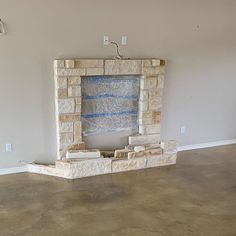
[(91, 167)]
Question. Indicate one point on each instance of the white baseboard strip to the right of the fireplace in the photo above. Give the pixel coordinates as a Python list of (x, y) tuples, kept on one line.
[(206, 145)]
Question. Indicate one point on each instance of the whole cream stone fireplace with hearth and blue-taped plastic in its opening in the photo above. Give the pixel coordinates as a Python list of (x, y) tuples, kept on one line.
[(76, 117)]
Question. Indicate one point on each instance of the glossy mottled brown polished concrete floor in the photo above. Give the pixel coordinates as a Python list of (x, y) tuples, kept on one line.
[(195, 197)]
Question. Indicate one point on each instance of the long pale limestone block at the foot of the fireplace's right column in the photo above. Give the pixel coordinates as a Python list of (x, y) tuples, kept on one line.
[(144, 139)]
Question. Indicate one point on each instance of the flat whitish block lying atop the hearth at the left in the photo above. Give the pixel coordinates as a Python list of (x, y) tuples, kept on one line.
[(82, 154)]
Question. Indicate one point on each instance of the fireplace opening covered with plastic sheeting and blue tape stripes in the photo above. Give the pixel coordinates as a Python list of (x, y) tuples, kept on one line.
[(109, 111)]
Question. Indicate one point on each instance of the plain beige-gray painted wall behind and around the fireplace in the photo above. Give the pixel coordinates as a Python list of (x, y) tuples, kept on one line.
[(198, 38)]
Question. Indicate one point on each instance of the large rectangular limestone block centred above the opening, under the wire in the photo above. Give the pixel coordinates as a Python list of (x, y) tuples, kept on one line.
[(116, 67)]
